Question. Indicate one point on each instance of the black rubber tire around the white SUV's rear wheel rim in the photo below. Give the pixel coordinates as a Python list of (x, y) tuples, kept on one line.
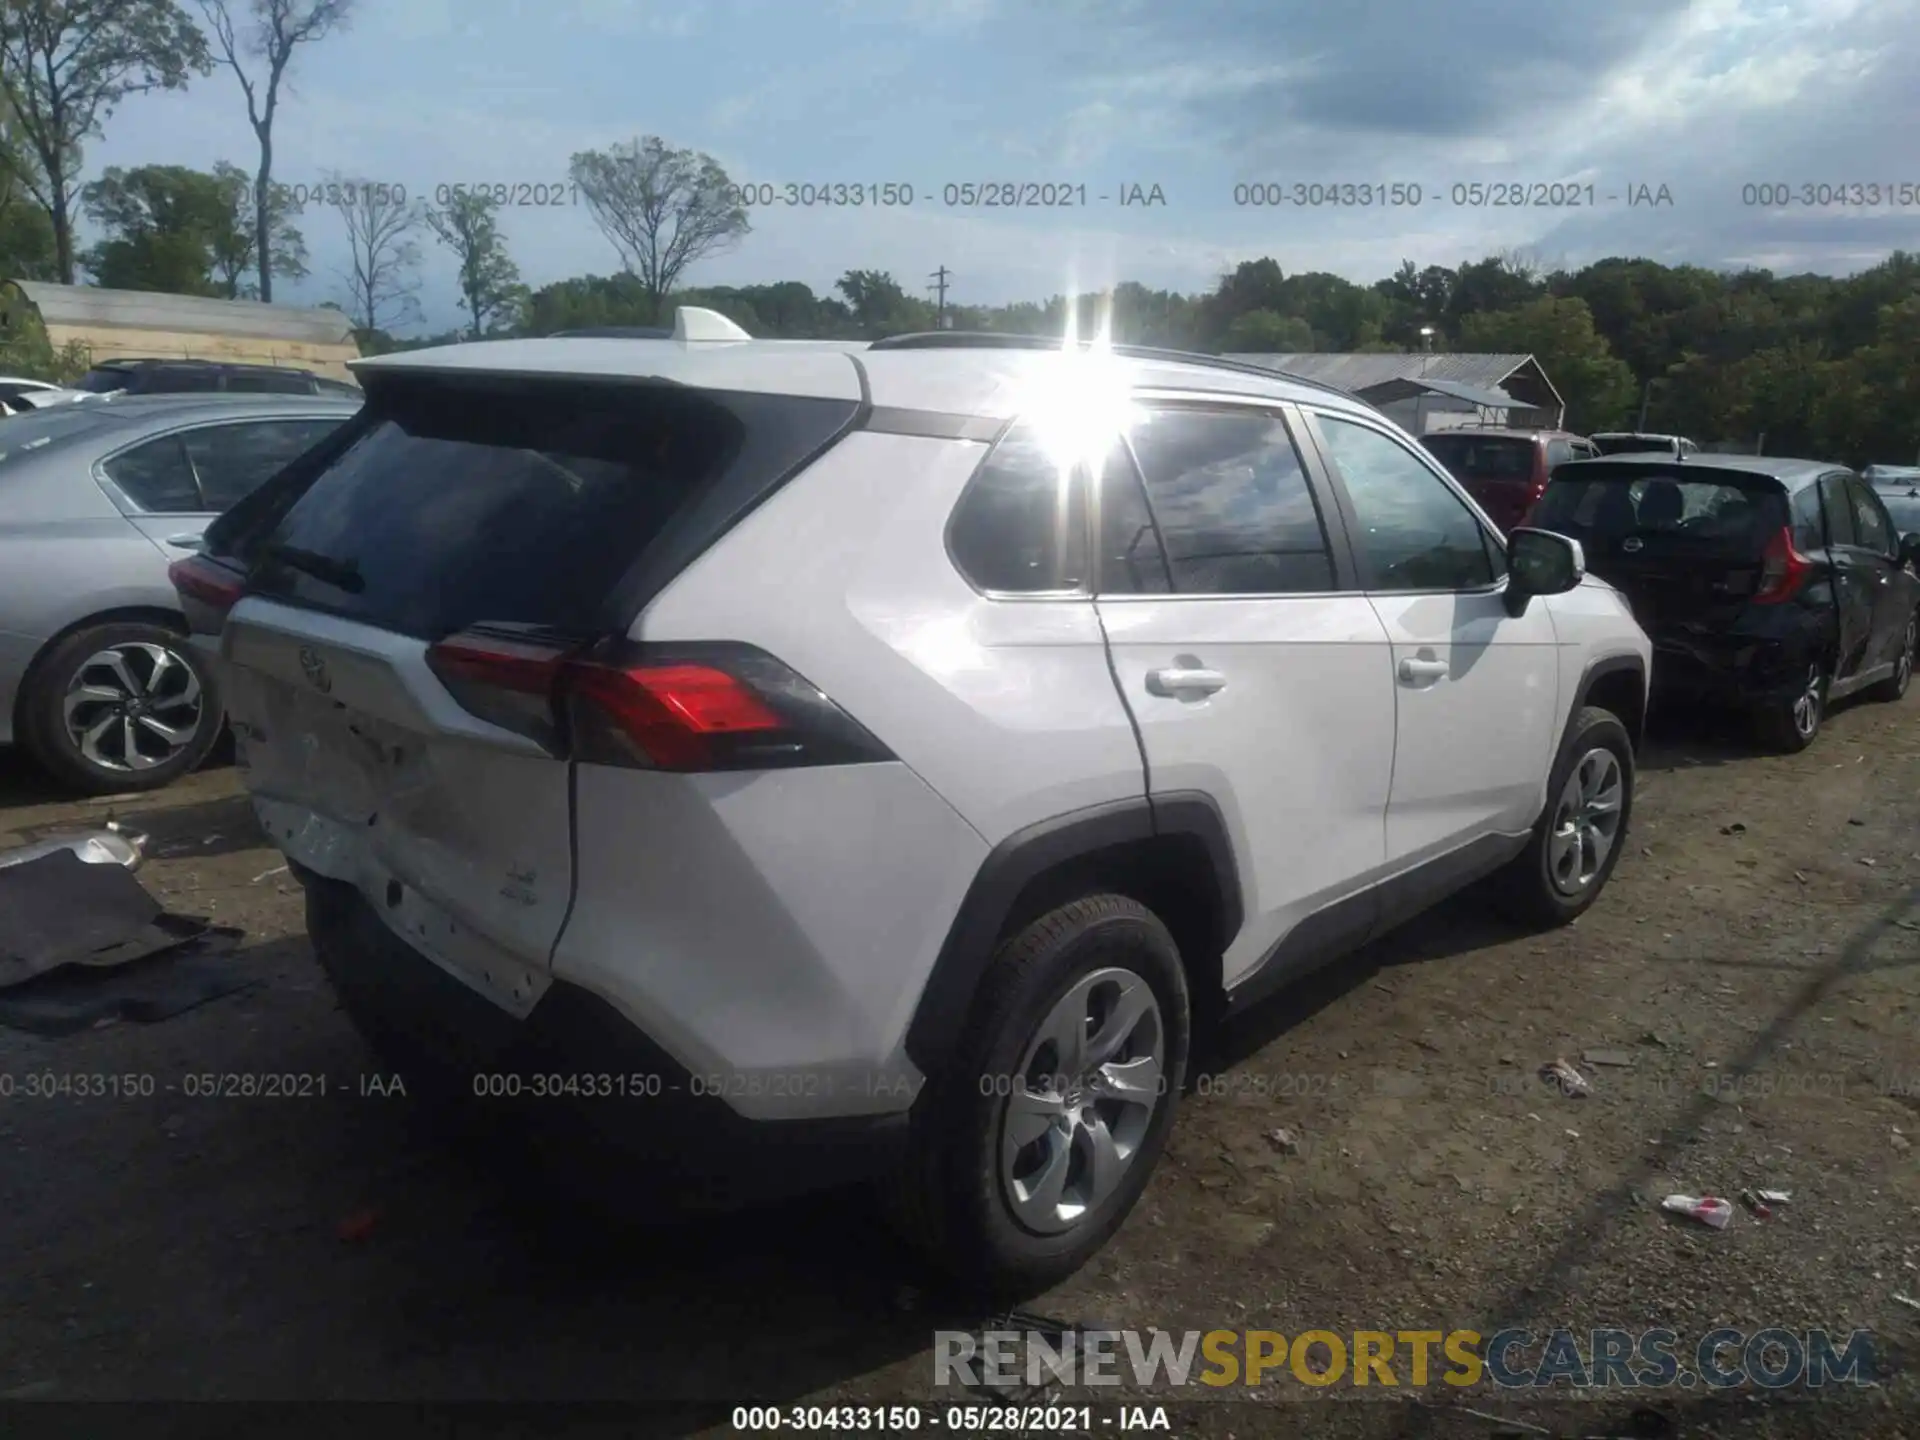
[(951, 1197)]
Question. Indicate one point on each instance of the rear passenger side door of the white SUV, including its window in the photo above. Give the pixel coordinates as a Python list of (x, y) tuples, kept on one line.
[(1255, 671)]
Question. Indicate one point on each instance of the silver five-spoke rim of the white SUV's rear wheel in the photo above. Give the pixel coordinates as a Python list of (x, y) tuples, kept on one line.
[(1082, 1101)]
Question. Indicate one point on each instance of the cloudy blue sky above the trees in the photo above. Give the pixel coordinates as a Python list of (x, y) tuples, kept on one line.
[(1195, 97)]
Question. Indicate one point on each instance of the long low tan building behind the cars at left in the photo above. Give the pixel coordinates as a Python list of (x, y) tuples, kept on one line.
[(151, 325)]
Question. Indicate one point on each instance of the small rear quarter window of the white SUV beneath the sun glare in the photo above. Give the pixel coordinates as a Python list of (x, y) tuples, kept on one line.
[(1020, 529)]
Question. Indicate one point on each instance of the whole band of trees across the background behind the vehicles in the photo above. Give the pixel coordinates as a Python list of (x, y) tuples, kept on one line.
[(1815, 366)]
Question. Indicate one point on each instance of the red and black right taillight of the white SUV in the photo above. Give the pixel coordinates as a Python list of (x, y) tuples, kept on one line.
[(686, 708)]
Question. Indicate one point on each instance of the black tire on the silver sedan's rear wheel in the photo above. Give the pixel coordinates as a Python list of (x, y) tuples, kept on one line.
[(55, 675)]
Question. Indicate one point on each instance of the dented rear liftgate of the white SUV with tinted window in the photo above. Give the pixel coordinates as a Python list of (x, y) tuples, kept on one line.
[(391, 665)]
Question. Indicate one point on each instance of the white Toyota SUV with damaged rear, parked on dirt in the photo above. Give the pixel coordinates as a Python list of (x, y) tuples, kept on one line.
[(828, 761)]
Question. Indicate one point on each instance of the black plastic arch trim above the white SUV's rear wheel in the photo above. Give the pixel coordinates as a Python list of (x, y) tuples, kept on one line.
[(1030, 855)]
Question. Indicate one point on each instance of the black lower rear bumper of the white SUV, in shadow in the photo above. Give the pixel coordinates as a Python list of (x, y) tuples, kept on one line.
[(581, 1074)]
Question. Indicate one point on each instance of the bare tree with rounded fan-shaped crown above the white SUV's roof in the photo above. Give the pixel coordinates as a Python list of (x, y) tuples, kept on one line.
[(663, 208)]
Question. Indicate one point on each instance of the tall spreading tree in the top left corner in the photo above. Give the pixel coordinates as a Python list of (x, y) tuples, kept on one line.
[(64, 68)]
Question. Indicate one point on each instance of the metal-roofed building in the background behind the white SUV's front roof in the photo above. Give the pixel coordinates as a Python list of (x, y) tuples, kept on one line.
[(1429, 393)]
